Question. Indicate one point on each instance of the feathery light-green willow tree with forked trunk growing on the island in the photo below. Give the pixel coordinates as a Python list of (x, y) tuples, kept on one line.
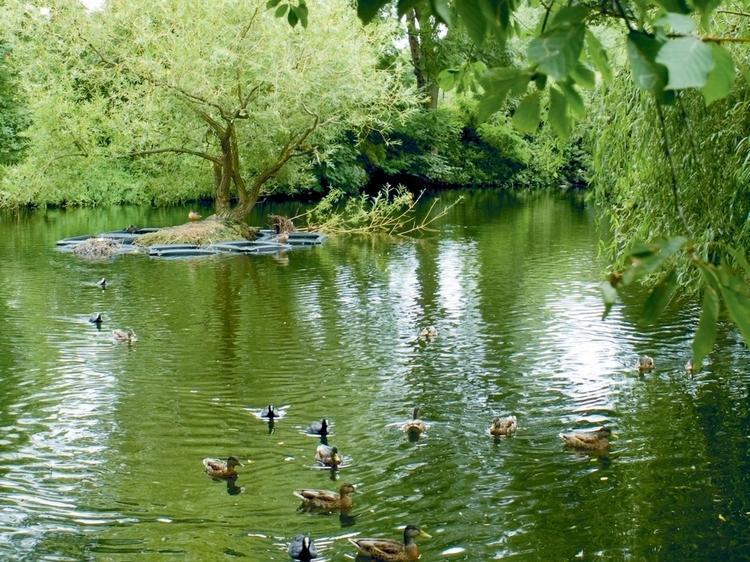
[(220, 90)]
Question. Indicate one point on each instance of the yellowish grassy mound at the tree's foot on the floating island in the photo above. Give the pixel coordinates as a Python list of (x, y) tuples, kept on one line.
[(202, 233)]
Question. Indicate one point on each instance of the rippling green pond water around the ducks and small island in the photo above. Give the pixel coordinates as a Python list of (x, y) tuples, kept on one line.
[(102, 442)]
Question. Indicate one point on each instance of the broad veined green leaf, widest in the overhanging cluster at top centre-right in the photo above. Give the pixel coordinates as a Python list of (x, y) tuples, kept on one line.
[(557, 51)]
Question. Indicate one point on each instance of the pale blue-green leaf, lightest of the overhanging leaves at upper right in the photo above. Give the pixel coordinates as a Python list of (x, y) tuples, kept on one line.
[(688, 59)]
